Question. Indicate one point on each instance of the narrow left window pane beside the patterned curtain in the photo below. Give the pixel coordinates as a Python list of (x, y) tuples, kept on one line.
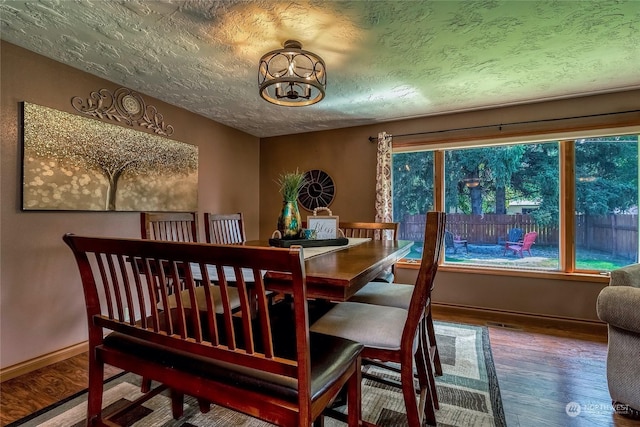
[(412, 196)]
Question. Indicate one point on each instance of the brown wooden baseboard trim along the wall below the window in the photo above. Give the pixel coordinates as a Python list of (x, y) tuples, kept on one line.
[(516, 318)]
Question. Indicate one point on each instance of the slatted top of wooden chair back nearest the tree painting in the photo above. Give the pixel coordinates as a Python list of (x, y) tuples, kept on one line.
[(169, 226)]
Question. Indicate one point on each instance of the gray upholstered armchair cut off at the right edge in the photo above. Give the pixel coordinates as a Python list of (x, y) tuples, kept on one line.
[(619, 305)]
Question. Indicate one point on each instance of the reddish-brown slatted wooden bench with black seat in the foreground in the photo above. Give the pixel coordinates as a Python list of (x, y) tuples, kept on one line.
[(277, 372)]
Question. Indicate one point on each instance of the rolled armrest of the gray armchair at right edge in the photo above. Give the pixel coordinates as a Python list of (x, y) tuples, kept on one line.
[(620, 306)]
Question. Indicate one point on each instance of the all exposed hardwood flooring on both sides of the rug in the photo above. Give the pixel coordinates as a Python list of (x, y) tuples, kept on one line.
[(542, 366)]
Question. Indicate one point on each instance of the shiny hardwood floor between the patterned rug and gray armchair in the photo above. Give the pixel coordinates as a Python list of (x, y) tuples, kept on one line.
[(544, 365)]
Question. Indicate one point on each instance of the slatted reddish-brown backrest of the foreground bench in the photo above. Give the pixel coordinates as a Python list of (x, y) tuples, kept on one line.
[(127, 281)]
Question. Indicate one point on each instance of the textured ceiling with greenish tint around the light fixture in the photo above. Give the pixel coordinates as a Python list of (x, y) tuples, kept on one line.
[(386, 60)]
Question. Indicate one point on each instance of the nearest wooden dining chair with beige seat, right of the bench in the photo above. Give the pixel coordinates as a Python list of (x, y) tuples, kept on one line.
[(398, 335)]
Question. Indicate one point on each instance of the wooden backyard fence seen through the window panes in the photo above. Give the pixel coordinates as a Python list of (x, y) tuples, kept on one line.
[(614, 234)]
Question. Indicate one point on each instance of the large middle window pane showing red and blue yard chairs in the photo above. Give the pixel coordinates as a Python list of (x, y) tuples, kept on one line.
[(502, 204)]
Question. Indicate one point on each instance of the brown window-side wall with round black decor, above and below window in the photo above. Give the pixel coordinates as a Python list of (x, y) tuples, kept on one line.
[(349, 157)]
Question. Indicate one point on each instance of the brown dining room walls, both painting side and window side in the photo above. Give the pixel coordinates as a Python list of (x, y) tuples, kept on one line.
[(41, 305)]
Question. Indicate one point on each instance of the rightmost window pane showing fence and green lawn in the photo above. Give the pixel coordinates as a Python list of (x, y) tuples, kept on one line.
[(606, 186)]
